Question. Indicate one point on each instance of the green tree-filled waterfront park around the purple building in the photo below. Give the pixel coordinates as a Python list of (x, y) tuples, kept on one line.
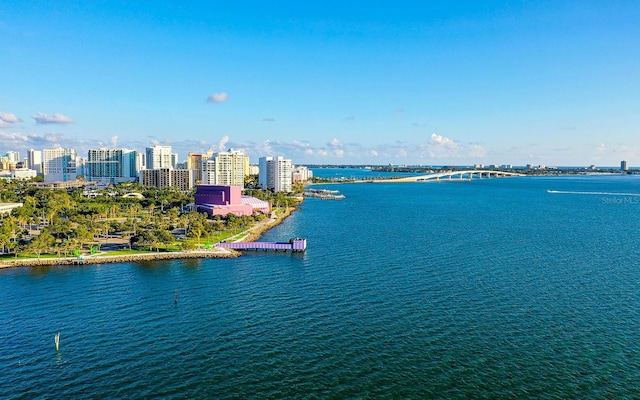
[(84, 223)]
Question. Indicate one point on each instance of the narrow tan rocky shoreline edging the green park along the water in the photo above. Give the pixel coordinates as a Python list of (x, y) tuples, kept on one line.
[(251, 234)]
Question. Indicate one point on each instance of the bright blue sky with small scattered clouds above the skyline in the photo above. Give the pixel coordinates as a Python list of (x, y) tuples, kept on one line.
[(413, 82)]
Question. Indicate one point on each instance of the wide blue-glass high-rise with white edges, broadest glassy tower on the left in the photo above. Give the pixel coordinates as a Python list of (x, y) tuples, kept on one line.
[(111, 165)]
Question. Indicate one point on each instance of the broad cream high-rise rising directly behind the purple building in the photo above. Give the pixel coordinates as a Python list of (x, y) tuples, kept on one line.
[(226, 169)]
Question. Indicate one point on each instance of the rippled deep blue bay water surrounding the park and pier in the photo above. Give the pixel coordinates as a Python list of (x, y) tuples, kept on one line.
[(489, 288)]
